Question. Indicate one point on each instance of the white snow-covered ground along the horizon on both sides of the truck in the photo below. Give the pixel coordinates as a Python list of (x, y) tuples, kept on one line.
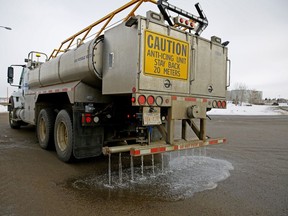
[(235, 110)]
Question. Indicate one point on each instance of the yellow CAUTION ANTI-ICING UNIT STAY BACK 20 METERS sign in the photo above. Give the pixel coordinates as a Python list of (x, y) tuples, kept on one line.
[(165, 56)]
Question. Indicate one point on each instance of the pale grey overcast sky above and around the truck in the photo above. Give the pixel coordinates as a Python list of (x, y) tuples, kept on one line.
[(257, 31)]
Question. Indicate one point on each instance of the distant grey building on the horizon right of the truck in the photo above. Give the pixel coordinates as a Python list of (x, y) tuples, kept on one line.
[(246, 96)]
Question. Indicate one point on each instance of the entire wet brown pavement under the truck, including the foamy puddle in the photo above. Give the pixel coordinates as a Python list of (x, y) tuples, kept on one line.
[(247, 176)]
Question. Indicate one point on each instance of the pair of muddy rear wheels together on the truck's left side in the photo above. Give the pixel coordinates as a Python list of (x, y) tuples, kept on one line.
[(58, 131)]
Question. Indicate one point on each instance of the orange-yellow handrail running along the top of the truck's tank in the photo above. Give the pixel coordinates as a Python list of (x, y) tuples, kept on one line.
[(106, 18)]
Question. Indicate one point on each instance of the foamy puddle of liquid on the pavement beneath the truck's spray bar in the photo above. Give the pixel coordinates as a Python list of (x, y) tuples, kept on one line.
[(181, 177)]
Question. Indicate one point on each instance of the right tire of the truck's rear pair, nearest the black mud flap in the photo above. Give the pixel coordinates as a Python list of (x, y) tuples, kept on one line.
[(63, 136)]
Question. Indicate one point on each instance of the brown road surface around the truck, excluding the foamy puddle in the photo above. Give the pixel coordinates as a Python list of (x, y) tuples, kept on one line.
[(34, 182)]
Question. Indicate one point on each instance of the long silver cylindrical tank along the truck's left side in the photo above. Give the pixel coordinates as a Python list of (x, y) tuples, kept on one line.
[(82, 63)]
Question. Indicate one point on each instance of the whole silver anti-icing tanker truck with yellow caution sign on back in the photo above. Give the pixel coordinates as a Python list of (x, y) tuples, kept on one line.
[(141, 86)]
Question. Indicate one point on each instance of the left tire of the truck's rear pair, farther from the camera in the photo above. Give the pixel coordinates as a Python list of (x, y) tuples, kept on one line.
[(45, 128)]
